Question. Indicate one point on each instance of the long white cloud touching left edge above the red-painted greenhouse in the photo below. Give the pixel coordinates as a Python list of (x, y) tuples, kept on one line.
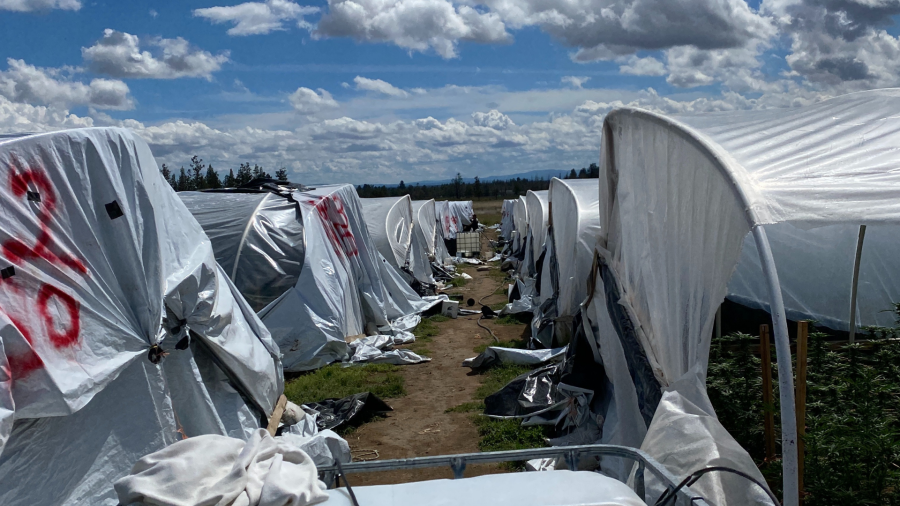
[(28, 84)]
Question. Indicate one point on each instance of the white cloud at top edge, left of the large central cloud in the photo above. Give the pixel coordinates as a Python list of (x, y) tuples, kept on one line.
[(256, 18)]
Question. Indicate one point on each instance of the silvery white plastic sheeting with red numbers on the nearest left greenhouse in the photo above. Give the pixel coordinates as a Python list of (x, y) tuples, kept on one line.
[(101, 261)]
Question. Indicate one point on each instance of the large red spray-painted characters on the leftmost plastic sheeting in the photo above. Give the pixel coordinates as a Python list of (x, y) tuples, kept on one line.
[(17, 251)]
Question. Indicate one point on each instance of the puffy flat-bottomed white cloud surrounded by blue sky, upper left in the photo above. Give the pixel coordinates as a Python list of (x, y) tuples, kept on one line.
[(118, 54)]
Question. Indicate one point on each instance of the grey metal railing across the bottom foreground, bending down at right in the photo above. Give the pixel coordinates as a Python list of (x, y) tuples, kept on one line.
[(569, 455)]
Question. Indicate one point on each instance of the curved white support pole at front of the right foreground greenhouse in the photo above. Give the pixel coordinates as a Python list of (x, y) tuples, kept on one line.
[(785, 374)]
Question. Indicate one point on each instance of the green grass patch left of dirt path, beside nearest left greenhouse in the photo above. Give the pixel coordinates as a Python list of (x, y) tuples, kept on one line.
[(335, 381)]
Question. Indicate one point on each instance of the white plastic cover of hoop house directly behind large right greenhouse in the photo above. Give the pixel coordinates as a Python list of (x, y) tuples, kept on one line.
[(576, 226)]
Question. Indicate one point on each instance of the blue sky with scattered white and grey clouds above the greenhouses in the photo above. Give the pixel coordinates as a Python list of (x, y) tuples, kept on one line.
[(382, 90)]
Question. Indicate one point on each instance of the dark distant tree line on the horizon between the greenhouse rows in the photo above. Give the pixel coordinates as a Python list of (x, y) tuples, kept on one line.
[(459, 189)]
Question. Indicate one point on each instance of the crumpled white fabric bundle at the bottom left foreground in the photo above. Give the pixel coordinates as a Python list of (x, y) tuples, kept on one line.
[(222, 471)]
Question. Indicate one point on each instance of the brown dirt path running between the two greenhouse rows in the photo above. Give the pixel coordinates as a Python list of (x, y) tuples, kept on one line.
[(419, 425)]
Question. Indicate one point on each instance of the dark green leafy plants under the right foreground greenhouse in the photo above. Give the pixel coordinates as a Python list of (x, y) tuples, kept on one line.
[(852, 426)]
